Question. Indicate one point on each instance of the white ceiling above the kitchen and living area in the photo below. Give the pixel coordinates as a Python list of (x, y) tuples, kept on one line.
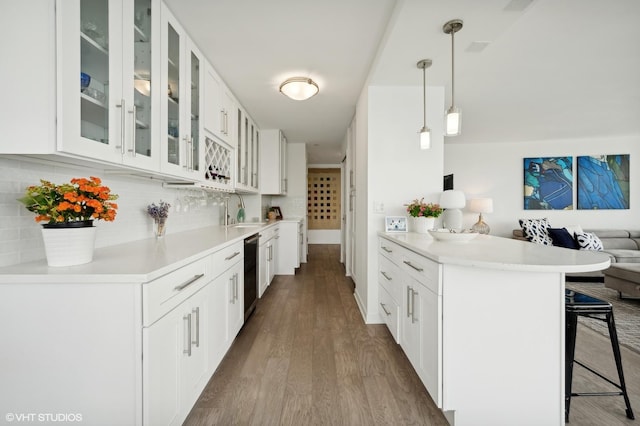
[(552, 69)]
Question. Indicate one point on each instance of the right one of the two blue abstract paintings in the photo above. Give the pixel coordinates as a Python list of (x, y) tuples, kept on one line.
[(603, 182)]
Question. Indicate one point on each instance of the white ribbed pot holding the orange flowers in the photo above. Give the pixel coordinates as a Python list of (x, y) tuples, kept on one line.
[(69, 246)]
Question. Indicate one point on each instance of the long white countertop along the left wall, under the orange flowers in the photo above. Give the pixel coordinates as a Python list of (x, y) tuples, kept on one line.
[(137, 261)]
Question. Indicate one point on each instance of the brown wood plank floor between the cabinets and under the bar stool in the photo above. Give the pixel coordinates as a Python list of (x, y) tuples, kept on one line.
[(306, 357)]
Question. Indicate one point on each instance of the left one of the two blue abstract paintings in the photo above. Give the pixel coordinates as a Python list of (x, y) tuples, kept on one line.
[(548, 183)]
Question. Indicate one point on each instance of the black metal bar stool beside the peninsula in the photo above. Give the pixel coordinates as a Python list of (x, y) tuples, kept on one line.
[(578, 304)]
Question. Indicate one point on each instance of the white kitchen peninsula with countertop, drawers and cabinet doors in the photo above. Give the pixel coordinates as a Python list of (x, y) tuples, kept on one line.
[(482, 322)]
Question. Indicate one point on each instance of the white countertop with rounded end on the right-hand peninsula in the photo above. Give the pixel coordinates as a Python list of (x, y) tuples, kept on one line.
[(507, 254)]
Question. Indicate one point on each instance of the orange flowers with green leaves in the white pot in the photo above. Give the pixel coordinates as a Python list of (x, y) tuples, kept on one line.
[(82, 199)]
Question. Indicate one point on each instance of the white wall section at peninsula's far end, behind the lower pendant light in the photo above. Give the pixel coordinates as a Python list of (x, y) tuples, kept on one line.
[(392, 171)]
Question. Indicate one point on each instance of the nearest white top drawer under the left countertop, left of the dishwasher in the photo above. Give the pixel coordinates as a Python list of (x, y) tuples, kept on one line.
[(165, 293)]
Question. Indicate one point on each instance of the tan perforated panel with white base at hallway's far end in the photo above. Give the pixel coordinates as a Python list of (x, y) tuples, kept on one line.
[(324, 205)]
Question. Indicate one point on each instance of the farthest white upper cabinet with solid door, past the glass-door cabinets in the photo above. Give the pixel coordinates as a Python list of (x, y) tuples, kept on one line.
[(273, 162)]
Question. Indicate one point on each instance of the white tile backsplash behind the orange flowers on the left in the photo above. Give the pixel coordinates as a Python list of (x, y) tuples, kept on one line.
[(20, 236)]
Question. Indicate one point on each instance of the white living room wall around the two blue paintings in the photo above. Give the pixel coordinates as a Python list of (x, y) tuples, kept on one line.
[(495, 170)]
